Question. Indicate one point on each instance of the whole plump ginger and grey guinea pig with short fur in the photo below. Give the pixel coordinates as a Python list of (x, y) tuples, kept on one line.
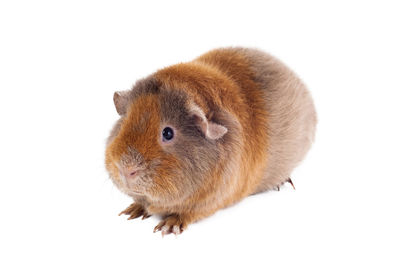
[(196, 137)]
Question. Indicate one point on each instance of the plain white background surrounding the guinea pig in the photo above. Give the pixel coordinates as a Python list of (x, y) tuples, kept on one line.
[(60, 63)]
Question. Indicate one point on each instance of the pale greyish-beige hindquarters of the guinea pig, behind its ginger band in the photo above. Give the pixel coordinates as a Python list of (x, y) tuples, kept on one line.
[(291, 116)]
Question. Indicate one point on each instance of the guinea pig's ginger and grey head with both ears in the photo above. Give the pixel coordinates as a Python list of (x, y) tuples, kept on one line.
[(163, 146)]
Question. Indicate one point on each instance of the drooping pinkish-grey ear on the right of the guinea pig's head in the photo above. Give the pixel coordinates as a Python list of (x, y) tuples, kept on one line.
[(210, 129)]
